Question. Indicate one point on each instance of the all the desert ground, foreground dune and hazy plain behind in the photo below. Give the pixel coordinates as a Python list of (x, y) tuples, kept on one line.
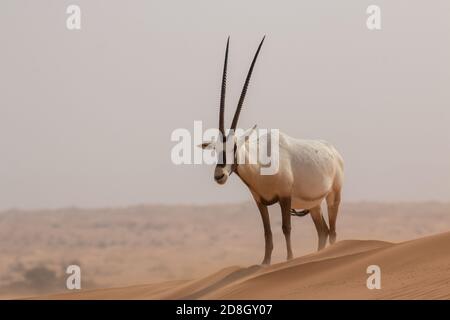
[(154, 251)]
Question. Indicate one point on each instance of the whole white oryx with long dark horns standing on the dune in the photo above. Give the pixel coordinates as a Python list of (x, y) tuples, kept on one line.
[(309, 171)]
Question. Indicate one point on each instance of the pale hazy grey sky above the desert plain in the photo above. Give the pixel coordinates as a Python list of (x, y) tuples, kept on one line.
[(86, 116)]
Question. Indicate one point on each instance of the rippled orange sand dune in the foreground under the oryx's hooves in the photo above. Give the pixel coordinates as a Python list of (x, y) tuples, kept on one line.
[(417, 269)]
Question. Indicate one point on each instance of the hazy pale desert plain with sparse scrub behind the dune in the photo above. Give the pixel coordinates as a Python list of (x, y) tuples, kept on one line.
[(145, 244)]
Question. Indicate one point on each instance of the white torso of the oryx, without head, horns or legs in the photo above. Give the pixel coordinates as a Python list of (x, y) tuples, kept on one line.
[(309, 171)]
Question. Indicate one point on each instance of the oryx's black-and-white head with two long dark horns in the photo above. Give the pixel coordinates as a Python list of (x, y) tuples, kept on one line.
[(227, 144)]
